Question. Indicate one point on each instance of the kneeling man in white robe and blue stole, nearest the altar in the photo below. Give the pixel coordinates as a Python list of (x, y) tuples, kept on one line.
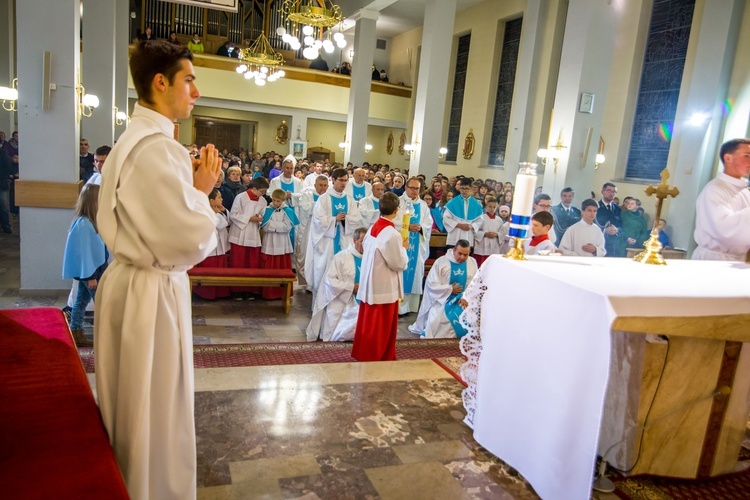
[(443, 300)]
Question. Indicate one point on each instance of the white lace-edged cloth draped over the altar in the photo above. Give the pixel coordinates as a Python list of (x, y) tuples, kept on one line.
[(539, 360)]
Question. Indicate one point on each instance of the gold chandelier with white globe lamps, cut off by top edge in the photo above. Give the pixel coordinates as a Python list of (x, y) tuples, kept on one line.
[(311, 14)]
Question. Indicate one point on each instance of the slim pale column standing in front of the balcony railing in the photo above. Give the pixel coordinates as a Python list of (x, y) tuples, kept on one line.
[(359, 87)]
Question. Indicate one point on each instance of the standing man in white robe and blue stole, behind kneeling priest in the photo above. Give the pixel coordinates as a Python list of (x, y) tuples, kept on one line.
[(335, 217)]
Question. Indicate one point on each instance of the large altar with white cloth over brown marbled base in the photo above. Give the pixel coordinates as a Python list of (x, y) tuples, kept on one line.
[(566, 361)]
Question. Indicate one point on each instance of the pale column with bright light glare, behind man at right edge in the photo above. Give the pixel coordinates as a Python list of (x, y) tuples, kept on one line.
[(693, 155)]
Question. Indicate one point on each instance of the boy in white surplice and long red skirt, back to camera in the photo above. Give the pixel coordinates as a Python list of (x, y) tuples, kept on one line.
[(380, 286)]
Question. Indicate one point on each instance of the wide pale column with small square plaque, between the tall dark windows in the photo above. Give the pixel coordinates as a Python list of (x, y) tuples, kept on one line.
[(585, 67)]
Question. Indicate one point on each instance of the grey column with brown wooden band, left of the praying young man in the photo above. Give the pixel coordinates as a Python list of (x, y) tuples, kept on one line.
[(48, 136)]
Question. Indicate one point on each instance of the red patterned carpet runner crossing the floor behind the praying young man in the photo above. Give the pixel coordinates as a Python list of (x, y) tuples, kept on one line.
[(297, 353)]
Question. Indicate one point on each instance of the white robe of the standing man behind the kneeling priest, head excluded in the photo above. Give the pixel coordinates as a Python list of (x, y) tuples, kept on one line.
[(320, 245)]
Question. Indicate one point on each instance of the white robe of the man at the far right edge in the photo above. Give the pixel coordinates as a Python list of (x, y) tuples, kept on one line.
[(722, 220)]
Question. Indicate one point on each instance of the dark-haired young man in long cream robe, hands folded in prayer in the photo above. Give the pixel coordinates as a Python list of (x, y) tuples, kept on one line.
[(154, 216)]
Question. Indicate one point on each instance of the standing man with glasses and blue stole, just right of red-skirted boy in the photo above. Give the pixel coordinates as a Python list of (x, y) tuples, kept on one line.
[(420, 229)]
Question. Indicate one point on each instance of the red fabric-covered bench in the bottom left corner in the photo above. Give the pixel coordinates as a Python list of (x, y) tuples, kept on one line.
[(53, 441)]
